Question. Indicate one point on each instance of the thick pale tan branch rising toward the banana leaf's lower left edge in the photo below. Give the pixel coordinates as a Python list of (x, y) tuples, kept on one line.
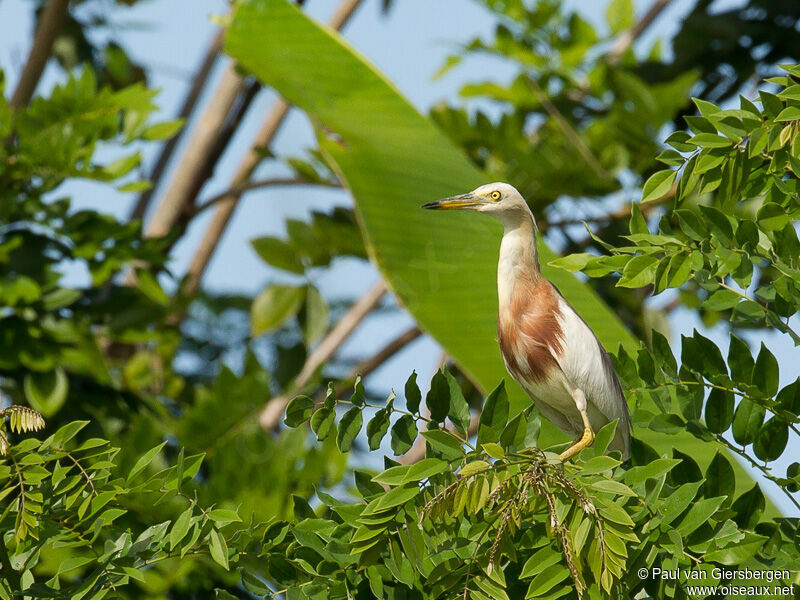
[(270, 415)]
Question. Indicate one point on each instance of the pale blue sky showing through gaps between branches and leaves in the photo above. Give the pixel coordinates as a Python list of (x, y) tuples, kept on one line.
[(409, 46)]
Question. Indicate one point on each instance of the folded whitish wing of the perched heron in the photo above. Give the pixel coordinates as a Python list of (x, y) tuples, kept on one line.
[(587, 365)]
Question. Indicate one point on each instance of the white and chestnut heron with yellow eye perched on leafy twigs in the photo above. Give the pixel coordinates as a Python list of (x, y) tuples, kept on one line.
[(546, 346)]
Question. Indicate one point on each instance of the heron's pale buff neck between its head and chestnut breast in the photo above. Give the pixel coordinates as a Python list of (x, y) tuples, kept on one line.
[(519, 259)]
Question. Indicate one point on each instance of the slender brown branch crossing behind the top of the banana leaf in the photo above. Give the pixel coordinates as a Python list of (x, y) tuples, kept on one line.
[(226, 206)]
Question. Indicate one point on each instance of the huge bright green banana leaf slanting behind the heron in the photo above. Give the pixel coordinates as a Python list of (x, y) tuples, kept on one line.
[(441, 266)]
